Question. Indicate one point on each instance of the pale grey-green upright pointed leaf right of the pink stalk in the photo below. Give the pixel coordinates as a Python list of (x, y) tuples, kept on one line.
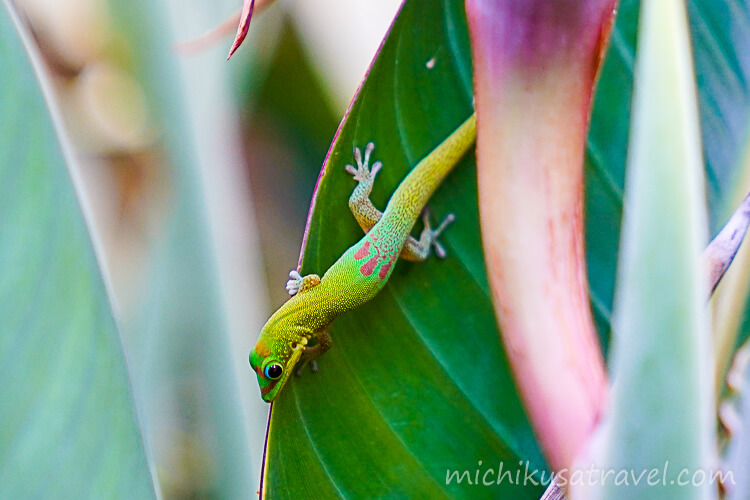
[(661, 408)]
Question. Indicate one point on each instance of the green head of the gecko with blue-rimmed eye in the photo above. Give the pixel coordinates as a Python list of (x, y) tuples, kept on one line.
[(273, 366)]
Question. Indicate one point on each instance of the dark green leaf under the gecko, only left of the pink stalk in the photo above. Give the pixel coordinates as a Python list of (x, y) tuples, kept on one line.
[(408, 391)]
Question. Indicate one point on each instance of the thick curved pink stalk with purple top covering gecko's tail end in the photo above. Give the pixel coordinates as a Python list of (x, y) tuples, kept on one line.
[(534, 68)]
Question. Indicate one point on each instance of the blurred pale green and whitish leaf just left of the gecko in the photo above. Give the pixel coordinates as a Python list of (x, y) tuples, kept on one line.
[(202, 298)]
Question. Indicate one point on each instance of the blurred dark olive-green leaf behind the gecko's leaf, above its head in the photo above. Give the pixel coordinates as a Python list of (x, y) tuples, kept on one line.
[(289, 122)]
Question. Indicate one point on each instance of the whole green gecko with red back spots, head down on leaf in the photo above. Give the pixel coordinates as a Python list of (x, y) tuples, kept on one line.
[(362, 271)]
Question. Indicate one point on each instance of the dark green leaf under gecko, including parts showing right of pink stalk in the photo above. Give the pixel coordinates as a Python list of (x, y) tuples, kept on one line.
[(417, 382)]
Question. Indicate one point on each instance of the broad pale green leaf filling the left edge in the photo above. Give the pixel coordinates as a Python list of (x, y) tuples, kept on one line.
[(68, 425)]
